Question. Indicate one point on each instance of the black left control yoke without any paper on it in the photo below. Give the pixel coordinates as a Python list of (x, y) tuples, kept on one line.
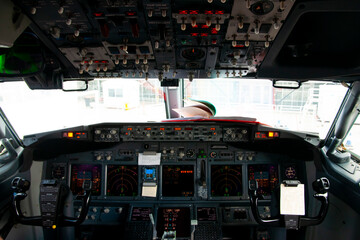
[(52, 195)]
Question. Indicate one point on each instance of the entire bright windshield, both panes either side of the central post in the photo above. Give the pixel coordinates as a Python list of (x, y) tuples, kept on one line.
[(311, 108)]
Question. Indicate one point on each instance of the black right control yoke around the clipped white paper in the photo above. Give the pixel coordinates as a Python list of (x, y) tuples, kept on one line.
[(320, 186)]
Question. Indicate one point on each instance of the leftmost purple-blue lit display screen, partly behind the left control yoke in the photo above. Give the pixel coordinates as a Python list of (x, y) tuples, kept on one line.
[(81, 172)]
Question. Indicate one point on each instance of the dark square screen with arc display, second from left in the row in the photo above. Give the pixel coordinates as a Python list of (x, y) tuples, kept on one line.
[(122, 180)]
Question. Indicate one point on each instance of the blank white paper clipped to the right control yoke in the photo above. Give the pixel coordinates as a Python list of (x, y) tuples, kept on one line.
[(292, 200)]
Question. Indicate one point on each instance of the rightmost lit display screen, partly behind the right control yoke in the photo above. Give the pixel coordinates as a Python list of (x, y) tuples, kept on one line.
[(266, 176)]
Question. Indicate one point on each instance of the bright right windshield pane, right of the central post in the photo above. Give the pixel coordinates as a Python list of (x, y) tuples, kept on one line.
[(311, 108)]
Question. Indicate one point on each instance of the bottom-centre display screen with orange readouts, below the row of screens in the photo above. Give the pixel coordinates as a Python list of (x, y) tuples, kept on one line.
[(173, 219)]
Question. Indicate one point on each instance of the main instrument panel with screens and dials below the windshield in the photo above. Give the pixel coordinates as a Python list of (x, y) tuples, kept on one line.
[(145, 175)]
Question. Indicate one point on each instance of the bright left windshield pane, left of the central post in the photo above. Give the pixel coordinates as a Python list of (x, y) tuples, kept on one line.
[(106, 100)]
